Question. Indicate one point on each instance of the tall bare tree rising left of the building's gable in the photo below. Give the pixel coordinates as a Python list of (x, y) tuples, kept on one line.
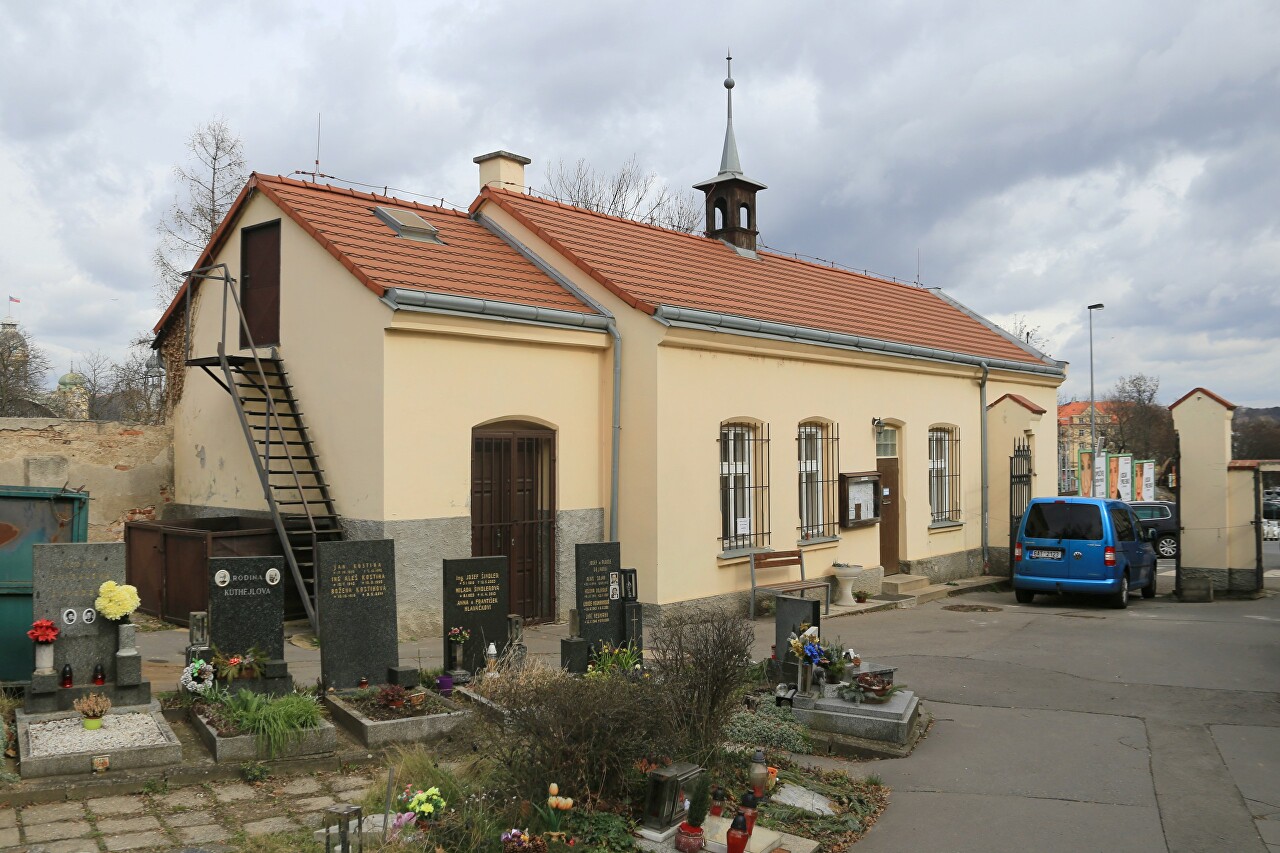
[(208, 185)]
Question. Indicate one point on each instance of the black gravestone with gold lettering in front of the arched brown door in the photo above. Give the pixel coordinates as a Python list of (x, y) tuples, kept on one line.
[(477, 599)]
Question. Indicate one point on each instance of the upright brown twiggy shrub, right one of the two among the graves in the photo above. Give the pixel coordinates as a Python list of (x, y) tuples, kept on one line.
[(702, 660)]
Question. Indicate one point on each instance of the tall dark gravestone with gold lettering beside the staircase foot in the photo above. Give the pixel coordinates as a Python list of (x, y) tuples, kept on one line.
[(356, 604)]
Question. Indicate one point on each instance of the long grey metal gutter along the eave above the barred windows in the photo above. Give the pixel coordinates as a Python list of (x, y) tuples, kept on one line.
[(716, 322)]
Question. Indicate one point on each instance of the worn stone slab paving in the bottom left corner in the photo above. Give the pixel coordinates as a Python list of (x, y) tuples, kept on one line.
[(220, 816)]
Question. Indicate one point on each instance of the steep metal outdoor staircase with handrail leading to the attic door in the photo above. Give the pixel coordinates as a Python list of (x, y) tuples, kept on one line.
[(289, 468)]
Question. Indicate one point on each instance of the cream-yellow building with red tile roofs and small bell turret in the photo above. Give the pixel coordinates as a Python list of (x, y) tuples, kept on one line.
[(529, 376)]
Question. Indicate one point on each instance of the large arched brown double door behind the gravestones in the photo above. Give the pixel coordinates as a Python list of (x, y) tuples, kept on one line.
[(514, 513)]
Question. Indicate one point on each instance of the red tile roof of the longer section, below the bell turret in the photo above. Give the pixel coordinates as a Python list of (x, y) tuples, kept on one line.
[(648, 267)]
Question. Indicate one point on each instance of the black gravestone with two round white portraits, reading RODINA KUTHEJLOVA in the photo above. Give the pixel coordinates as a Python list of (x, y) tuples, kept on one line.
[(246, 605)]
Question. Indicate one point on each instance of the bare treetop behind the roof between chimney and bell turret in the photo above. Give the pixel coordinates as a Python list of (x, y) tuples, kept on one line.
[(630, 193)]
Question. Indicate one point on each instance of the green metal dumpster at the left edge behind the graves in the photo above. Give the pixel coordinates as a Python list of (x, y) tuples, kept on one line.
[(30, 517)]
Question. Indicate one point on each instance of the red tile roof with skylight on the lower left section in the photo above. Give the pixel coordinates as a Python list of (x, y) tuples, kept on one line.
[(473, 262)]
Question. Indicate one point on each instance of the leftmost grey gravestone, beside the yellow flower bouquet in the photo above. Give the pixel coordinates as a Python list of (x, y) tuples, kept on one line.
[(66, 580)]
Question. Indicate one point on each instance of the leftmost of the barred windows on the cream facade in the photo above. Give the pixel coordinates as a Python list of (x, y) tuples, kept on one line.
[(744, 486)]
